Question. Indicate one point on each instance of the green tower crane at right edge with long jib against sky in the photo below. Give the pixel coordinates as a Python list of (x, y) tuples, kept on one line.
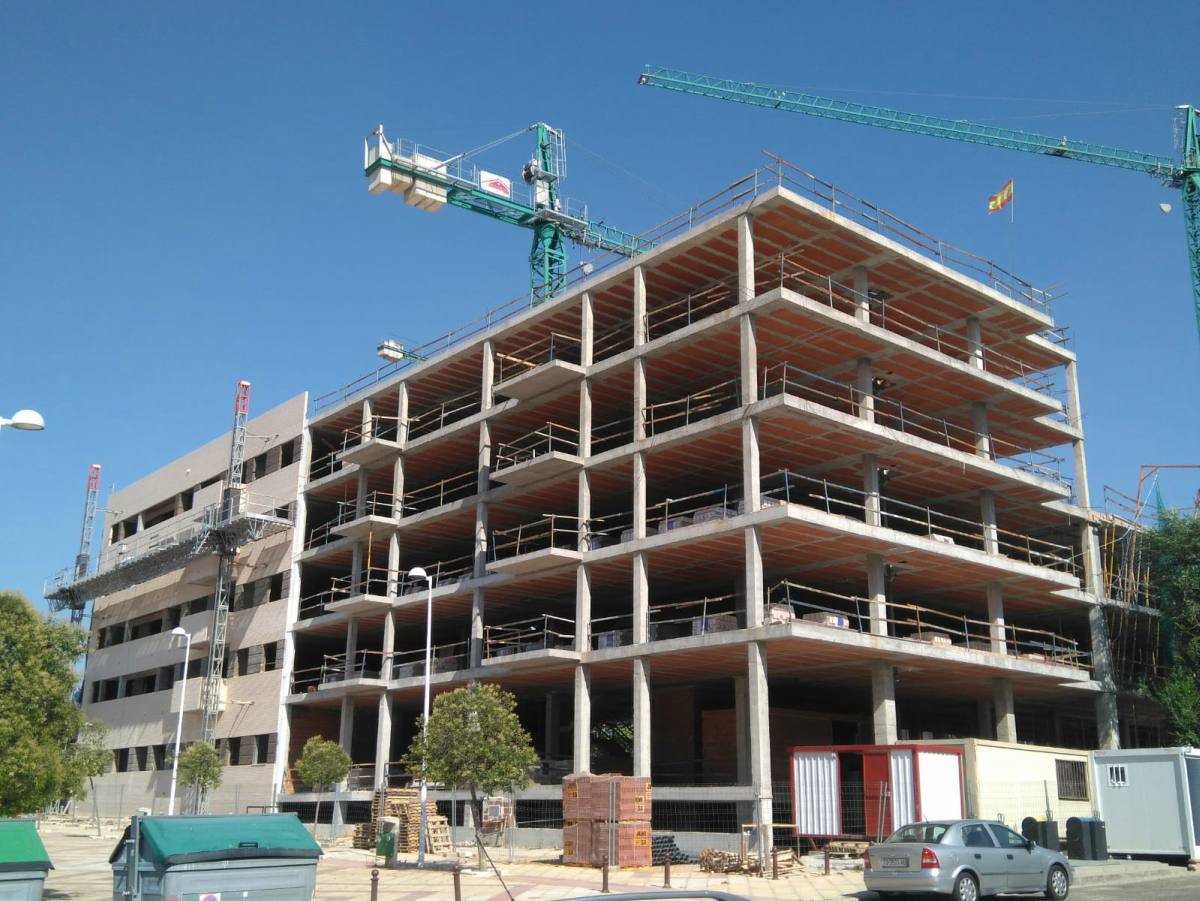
[(1183, 173)]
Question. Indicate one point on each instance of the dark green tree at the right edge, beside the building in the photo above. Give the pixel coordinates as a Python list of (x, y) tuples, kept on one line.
[(1173, 550)]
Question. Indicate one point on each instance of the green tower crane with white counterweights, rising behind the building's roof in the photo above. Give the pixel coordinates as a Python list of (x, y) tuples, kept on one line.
[(430, 181)]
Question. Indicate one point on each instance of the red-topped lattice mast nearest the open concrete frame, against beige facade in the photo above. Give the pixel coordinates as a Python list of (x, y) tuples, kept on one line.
[(227, 550)]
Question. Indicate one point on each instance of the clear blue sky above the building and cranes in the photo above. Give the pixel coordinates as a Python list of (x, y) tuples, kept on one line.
[(183, 202)]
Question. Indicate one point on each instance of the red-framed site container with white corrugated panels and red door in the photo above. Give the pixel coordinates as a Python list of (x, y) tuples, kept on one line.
[(867, 791)]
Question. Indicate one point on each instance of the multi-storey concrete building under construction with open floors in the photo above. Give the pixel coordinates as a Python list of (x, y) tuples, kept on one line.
[(785, 477)]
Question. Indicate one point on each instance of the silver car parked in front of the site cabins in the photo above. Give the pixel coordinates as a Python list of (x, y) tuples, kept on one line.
[(965, 860)]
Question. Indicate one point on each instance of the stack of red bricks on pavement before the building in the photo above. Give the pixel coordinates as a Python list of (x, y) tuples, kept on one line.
[(607, 816)]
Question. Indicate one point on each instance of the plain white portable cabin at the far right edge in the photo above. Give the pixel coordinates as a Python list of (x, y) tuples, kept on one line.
[(1150, 801)]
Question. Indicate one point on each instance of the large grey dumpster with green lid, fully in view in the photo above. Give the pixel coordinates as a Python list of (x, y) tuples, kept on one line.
[(265, 857)]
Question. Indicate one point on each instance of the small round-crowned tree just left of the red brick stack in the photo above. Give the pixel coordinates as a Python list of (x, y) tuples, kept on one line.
[(473, 740)]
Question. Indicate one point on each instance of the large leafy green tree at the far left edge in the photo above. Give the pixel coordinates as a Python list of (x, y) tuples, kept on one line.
[(39, 719)]
